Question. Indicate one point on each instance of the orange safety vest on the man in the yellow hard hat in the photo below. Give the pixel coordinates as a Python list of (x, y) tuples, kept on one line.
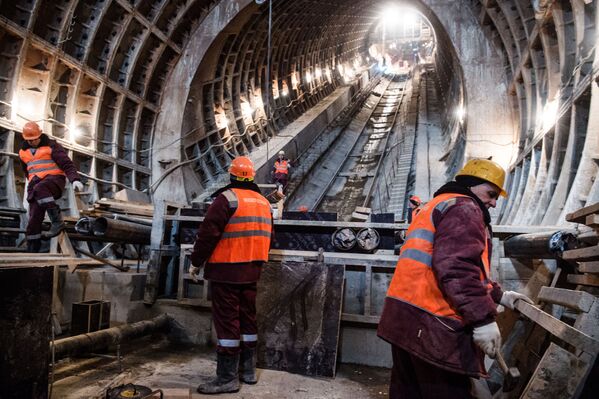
[(414, 281)]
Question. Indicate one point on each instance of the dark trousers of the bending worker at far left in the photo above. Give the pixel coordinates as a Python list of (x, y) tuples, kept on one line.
[(41, 195)]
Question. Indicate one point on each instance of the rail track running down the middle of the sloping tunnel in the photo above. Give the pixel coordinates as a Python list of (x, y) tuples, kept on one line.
[(344, 176)]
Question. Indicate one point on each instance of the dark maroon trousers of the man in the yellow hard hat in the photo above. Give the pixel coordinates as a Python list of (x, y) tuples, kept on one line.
[(413, 378)]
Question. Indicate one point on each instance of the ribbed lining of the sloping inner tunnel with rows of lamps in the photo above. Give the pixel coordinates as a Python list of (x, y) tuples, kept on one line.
[(314, 45)]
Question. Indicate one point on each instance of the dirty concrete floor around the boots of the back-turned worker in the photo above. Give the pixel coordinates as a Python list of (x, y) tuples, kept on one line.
[(156, 363)]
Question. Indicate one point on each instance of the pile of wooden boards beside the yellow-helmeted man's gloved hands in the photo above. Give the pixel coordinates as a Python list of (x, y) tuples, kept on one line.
[(561, 364)]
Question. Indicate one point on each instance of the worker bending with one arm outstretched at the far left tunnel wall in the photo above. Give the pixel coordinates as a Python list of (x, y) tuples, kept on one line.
[(46, 166)]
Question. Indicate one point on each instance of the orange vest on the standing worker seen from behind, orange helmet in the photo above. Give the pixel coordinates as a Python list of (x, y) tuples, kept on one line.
[(246, 237)]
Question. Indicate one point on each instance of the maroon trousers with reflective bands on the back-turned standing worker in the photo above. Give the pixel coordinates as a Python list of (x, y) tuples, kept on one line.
[(234, 315)]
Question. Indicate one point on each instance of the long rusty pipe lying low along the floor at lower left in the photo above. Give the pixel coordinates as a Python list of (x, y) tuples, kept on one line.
[(101, 339)]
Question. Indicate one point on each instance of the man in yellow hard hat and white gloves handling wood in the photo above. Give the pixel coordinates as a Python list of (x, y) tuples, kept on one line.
[(440, 310)]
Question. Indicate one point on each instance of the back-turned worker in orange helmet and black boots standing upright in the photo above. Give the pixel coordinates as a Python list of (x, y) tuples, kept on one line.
[(233, 242)]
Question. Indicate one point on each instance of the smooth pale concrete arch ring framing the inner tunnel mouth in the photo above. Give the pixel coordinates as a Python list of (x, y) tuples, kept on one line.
[(196, 64)]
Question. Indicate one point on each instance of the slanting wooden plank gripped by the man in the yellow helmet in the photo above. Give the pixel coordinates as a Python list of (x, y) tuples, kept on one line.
[(558, 328)]
